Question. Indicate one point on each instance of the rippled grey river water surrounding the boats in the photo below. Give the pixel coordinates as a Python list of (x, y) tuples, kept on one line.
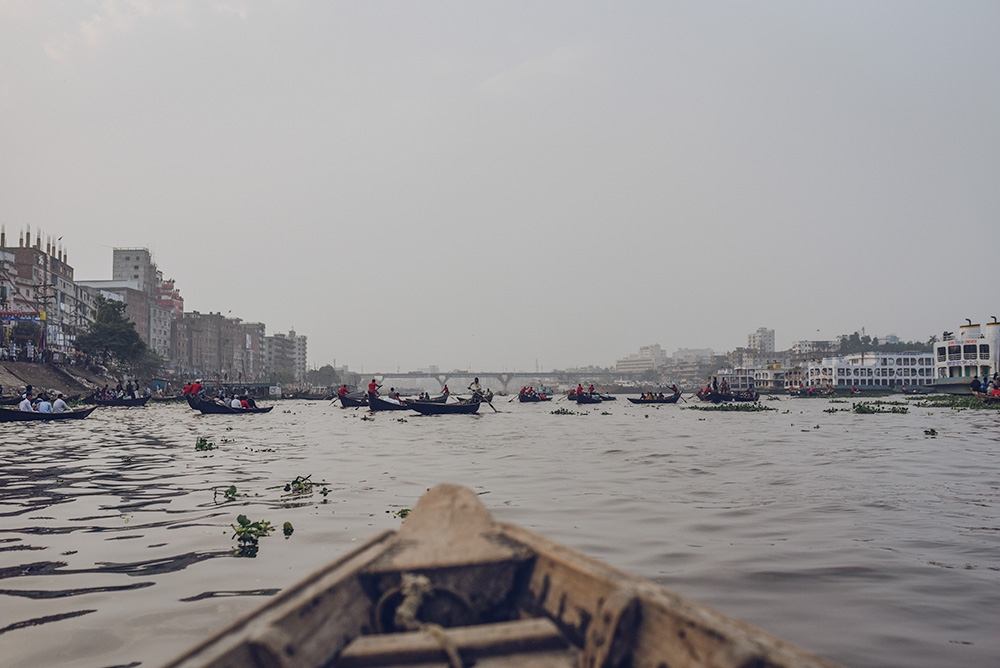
[(859, 537)]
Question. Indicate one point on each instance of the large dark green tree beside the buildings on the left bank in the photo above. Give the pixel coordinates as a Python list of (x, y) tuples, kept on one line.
[(112, 340)]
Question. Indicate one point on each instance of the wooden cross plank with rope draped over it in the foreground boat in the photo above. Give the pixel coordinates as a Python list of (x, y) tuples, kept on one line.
[(472, 642)]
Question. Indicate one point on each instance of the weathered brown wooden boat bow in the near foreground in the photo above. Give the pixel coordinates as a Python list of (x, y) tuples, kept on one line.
[(453, 586)]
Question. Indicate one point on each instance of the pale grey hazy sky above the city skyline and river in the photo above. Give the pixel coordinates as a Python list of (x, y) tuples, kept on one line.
[(491, 184)]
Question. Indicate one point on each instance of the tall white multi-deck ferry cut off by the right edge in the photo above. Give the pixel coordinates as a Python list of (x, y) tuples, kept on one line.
[(959, 358)]
